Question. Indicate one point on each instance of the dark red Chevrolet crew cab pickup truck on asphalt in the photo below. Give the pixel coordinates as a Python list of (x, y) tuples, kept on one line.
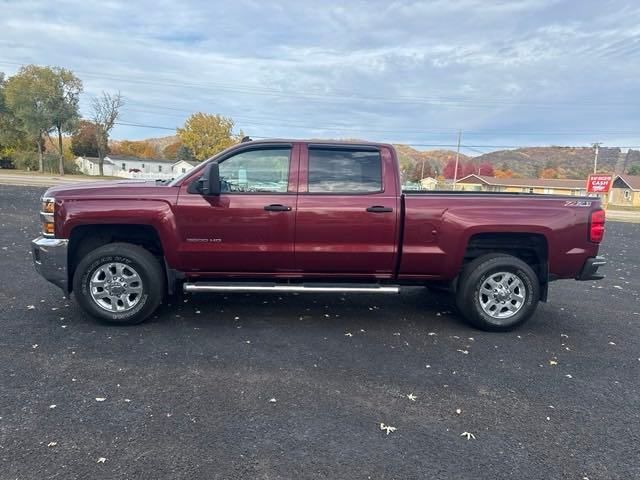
[(310, 216)]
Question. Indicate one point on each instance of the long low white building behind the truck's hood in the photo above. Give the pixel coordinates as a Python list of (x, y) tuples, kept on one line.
[(132, 167)]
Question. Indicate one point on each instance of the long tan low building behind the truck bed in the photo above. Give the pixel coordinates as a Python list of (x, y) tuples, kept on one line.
[(551, 186)]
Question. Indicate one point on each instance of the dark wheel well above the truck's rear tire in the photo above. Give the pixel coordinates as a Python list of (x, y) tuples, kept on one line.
[(532, 248)]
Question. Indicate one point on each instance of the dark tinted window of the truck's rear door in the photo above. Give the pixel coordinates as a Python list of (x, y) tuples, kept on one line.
[(344, 171)]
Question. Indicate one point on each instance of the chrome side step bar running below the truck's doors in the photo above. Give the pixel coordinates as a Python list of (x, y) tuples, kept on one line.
[(275, 287)]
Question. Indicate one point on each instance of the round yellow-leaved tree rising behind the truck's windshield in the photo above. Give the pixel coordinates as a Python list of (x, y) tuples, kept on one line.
[(205, 134)]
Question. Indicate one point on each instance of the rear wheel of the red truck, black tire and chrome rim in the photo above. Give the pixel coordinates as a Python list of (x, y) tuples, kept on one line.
[(478, 273)]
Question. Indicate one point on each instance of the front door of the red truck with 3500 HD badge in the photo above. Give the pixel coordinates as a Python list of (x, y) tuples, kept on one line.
[(249, 228)]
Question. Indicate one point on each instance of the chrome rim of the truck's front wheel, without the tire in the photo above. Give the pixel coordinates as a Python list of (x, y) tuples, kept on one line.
[(115, 287)]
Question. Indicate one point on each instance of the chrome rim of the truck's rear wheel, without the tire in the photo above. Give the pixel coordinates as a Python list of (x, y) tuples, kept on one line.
[(502, 295)]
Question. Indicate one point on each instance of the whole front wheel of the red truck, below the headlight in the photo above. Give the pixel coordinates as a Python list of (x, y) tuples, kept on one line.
[(119, 283)]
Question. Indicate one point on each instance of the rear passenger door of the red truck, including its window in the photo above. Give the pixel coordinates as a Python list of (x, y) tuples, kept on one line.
[(348, 210)]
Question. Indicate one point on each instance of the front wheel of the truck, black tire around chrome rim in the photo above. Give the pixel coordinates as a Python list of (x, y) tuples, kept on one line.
[(133, 259)]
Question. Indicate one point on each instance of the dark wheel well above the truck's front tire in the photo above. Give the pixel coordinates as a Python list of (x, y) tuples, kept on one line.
[(86, 238)]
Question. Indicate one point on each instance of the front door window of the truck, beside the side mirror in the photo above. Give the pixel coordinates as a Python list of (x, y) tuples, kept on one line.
[(256, 171)]
